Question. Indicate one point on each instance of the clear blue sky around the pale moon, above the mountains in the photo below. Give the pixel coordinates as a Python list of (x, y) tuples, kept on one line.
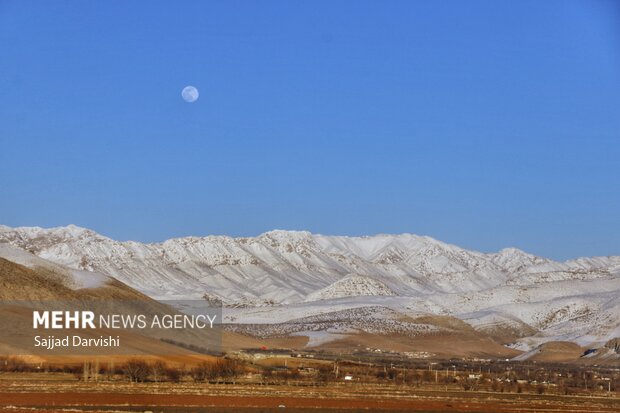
[(482, 123)]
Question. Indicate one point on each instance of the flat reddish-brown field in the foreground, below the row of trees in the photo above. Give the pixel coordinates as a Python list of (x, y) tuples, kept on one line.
[(61, 393)]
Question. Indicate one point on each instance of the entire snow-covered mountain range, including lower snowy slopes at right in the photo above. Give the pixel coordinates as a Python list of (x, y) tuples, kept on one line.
[(279, 276)]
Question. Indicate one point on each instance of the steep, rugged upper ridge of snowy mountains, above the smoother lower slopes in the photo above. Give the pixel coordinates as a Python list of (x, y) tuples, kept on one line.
[(291, 266)]
